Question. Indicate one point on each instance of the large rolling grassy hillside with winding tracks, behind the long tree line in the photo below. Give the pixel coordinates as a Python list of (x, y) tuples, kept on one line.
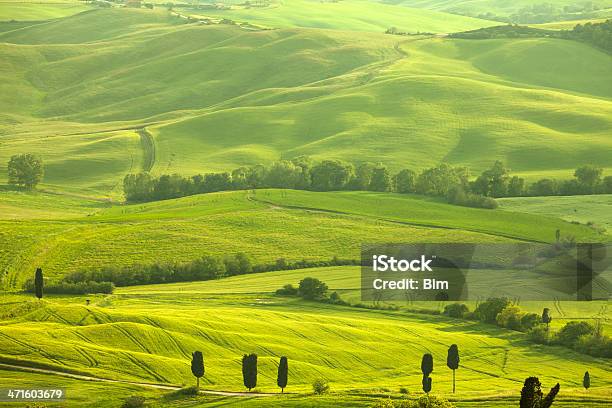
[(427, 100)]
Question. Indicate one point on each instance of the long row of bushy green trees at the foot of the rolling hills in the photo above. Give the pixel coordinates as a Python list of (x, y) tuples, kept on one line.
[(444, 180)]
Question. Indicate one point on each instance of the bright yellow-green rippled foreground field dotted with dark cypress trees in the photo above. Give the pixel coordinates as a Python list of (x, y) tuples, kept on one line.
[(145, 334)]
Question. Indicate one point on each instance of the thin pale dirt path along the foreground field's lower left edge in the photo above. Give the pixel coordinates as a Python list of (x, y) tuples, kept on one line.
[(107, 380)]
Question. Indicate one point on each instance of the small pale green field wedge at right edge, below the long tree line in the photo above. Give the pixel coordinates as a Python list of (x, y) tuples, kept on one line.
[(596, 210)]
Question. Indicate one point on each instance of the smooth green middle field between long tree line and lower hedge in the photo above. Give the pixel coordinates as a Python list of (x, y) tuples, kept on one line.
[(267, 225)]
